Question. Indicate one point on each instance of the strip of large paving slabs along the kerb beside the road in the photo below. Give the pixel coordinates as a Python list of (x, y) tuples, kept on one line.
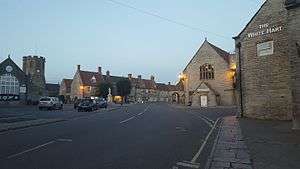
[(230, 150)]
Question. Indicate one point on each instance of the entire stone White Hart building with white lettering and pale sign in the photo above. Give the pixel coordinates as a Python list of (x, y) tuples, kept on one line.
[(266, 47)]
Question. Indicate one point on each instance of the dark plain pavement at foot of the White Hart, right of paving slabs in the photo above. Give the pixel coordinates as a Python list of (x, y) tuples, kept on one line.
[(272, 144)]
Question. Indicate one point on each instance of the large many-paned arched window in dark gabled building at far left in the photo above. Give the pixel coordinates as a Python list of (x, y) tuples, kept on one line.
[(9, 84)]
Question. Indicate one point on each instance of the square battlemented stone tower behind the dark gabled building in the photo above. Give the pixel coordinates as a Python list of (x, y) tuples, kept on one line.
[(34, 68)]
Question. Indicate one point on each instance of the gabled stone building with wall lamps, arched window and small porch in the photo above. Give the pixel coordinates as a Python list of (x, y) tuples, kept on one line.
[(209, 78)]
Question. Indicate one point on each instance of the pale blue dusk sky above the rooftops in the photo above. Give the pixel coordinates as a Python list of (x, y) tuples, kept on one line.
[(123, 40)]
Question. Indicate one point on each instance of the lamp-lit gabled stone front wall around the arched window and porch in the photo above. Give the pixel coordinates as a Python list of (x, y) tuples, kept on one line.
[(222, 82)]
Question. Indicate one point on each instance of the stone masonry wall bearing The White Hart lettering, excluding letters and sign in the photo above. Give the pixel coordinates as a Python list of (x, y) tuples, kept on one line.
[(266, 79)]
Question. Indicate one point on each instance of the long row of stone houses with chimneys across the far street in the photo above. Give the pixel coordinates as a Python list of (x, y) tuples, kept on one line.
[(85, 84)]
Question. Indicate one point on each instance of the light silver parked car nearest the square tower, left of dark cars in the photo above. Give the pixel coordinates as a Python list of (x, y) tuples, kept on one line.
[(50, 103)]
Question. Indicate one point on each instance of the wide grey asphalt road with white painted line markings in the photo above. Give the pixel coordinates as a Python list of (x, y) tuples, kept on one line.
[(142, 136)]
